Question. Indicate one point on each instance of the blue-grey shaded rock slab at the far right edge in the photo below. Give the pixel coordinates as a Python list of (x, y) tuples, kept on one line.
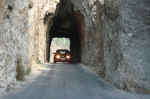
[(134, 41)]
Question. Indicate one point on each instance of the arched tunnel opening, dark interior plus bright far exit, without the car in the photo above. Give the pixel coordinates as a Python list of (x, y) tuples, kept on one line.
[(66, 32)]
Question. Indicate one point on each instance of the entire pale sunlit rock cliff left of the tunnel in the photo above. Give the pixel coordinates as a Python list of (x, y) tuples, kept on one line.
[(22, 35)]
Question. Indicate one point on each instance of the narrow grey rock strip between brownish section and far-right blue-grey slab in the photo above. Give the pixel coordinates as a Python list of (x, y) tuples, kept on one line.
[(112, 52)]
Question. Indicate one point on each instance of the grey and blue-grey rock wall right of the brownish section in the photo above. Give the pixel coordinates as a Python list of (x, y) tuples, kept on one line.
[(126, 44)]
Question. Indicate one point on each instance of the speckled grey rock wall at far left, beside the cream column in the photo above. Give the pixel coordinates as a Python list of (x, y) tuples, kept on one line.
[(13, 39)]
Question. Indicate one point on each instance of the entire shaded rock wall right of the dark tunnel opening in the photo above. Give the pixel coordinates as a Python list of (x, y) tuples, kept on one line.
[(115, 41)]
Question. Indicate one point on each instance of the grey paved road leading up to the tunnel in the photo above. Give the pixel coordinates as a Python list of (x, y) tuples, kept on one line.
[(67, 81)]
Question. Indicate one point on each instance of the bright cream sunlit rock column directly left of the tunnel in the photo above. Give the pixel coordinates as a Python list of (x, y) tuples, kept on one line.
[(39, 26)]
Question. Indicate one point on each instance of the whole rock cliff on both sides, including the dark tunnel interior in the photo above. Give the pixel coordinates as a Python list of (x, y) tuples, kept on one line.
[(111, 37)]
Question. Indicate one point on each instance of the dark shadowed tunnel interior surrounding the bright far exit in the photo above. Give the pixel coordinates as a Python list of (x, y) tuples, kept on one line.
[(66, 24)]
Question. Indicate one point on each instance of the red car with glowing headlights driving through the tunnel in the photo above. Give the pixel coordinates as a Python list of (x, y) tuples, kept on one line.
[(62, 55)]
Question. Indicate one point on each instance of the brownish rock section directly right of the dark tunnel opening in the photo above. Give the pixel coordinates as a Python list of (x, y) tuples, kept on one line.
[(91, 36)]
